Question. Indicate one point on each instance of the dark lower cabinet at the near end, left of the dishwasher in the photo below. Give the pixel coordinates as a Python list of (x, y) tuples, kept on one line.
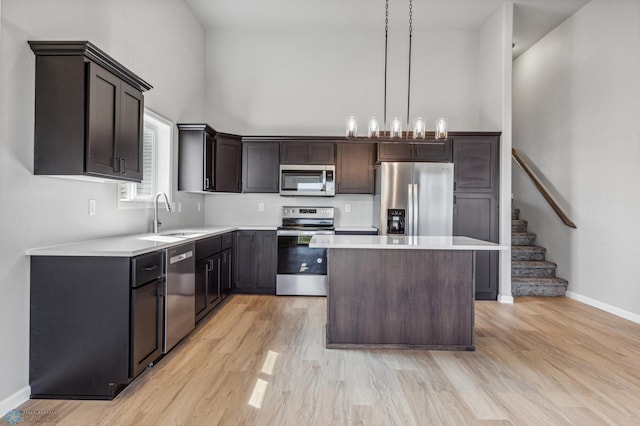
[(95, 323)]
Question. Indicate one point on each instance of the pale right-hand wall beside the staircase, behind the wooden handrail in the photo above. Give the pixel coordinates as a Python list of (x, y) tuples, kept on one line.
[(576, 116)]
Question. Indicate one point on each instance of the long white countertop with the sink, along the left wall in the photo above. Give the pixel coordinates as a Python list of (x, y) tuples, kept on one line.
[(137, 244)]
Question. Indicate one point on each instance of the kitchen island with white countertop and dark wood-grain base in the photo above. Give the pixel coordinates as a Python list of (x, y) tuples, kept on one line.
[(400, 292)]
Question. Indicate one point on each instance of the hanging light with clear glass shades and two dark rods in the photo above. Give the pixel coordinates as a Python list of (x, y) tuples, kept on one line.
[(395, 131)]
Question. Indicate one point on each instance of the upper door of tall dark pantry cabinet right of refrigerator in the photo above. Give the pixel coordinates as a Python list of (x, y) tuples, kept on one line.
[(476, 164)]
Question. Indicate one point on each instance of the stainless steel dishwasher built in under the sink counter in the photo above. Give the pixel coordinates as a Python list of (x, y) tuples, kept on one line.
[(179, 317)]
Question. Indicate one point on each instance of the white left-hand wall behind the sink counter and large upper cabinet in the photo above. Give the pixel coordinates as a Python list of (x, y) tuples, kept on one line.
[(159, 40)]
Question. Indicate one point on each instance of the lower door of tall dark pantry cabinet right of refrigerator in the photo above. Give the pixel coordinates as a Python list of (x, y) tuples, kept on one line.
[(476, 216)]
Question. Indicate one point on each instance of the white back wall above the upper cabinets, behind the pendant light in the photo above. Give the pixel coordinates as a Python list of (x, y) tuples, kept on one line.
[(307, 81)]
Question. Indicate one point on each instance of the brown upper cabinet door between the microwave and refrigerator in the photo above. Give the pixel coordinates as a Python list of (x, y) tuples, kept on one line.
[(354, 170)]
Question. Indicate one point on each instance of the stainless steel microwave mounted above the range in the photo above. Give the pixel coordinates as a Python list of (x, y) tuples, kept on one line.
[(308, 180)]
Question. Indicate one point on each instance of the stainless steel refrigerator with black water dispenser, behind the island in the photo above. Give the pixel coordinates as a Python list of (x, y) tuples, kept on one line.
[(414, 199)]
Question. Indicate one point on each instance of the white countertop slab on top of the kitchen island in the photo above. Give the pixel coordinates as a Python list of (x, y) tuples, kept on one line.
[(401, 242)]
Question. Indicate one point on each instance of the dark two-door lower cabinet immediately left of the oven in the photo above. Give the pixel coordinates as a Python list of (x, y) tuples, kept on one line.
[(255, 262)]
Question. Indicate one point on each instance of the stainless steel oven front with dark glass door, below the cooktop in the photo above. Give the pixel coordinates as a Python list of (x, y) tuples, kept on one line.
[(302, 271)]
